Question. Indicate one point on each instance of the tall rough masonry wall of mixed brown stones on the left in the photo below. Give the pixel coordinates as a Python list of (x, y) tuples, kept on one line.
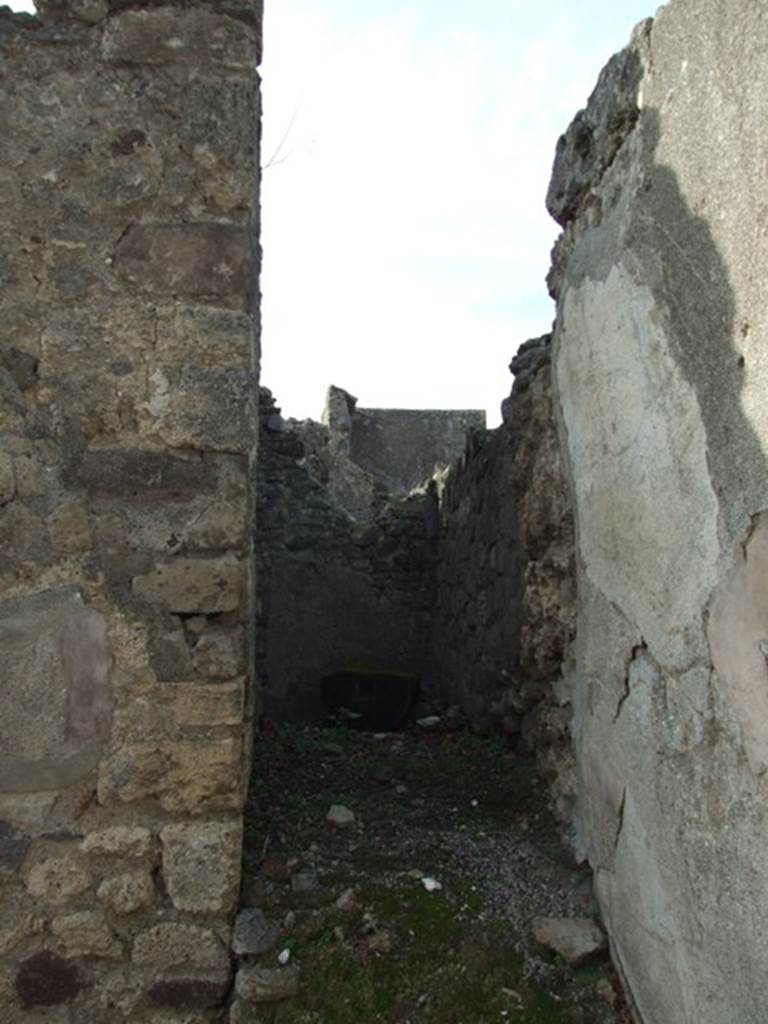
[(129, 261)]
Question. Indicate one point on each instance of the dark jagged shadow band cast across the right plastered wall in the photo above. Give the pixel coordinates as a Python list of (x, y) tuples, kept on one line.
[(690, 279)]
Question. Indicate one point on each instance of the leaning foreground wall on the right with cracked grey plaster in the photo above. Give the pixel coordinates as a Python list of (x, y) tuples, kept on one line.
[(661, 382)]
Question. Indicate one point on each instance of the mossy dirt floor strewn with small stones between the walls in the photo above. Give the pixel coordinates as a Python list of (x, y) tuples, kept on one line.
[(420, 911)]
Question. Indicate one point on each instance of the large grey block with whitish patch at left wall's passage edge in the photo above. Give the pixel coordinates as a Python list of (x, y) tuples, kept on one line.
[(186, 408)]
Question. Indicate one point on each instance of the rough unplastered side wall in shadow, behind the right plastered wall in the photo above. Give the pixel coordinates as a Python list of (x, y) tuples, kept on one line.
[(506, 596)]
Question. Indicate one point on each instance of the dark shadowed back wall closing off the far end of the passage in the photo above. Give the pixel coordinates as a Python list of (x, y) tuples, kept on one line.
[(336, 591)]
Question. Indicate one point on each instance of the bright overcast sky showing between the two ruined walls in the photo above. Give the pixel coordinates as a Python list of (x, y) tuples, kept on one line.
[(409, 146)]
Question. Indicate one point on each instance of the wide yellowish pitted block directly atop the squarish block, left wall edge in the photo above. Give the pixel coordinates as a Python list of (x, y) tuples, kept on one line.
[(186, 778)]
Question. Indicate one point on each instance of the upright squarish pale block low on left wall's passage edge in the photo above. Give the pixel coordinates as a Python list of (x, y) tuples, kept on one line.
[(201, 866)]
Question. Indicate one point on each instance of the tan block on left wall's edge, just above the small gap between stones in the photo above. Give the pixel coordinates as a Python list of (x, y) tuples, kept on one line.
[(194, 586)]
